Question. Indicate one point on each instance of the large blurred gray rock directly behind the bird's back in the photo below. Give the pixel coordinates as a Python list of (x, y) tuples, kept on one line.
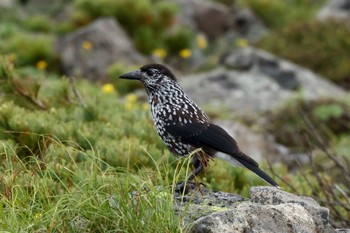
[(254, 81)]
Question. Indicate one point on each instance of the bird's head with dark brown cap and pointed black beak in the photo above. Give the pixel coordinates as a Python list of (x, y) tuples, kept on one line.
[(153, 76)]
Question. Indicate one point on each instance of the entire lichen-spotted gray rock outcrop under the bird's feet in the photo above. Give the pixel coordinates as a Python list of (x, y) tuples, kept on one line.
[(268, 210)]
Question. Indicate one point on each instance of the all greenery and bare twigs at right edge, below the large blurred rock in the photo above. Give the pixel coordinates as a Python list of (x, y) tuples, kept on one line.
[(320, 130)]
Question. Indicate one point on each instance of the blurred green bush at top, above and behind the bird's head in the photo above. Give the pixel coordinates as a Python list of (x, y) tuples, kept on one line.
[(148, 25)]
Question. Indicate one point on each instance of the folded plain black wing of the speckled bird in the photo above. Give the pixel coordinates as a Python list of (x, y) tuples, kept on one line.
[(208, 136)]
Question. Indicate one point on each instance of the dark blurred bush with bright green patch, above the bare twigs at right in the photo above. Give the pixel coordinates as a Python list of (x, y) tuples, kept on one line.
[(331, 117)]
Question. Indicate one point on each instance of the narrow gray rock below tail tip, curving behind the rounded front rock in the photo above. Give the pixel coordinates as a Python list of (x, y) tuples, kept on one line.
[(272, 196)]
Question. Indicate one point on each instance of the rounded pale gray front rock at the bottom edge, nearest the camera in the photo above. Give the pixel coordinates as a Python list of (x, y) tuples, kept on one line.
[(251, 217)]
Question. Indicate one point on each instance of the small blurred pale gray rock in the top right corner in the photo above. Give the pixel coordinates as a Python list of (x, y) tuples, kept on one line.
[(335, 9)]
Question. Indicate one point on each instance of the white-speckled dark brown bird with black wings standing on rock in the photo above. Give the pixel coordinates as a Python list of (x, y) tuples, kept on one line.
[(185, 128)]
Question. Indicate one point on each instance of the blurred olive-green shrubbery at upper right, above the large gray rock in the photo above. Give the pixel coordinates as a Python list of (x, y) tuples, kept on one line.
[(319, 46)]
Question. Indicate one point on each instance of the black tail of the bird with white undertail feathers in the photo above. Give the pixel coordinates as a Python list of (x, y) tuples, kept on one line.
[(244, 160)]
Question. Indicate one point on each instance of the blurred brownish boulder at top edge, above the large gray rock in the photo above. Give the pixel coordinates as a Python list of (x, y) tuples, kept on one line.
[(215, 19)]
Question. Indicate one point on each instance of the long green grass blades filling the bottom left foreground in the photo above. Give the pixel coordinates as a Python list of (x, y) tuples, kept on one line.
[(59, 194)]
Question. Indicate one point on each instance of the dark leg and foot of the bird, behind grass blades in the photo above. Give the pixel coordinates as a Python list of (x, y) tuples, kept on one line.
[(186, 186)]
